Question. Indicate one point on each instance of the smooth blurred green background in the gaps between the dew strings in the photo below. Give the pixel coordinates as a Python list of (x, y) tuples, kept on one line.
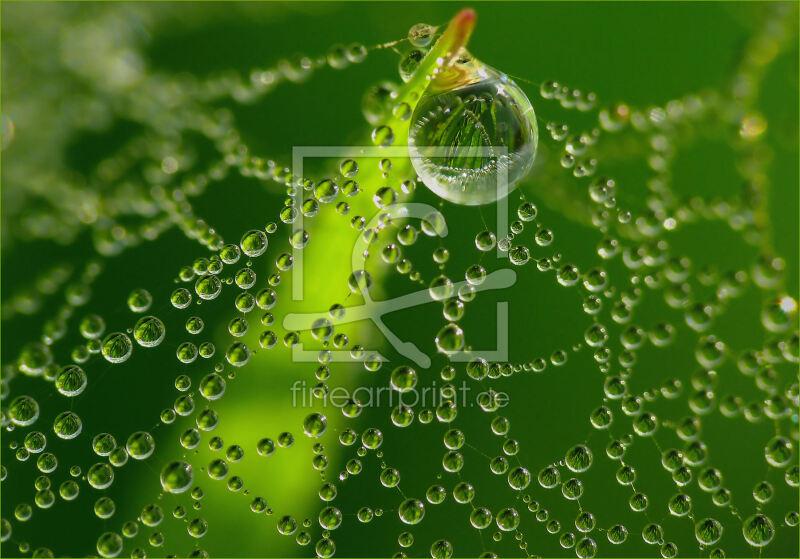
[(641, 53)]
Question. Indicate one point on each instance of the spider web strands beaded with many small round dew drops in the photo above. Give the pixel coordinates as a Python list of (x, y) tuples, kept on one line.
[(639, 240)]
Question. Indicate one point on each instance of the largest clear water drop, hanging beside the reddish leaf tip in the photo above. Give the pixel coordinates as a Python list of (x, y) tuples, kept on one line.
[(473, 134)]
